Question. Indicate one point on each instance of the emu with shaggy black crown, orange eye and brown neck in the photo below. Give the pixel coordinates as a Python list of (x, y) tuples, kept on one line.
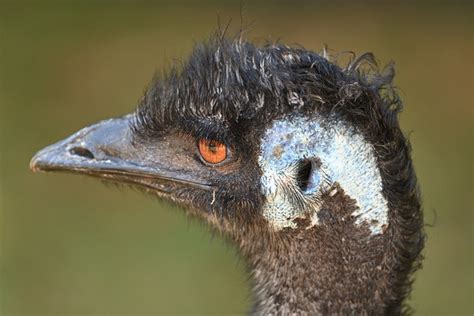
[(298, 161)]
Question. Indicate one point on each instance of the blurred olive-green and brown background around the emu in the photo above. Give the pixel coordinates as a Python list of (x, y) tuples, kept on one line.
[(72, 246)]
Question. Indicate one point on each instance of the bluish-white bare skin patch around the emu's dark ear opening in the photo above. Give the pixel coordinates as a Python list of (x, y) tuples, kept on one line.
[(339, 155)]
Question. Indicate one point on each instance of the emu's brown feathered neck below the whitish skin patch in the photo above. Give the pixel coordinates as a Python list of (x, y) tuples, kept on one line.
[(334, 267)]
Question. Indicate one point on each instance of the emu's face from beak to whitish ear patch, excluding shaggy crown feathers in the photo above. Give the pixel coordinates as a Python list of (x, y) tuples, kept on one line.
[(275, 175)]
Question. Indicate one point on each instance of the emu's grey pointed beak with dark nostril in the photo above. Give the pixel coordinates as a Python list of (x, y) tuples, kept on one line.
[(108, 150)]
